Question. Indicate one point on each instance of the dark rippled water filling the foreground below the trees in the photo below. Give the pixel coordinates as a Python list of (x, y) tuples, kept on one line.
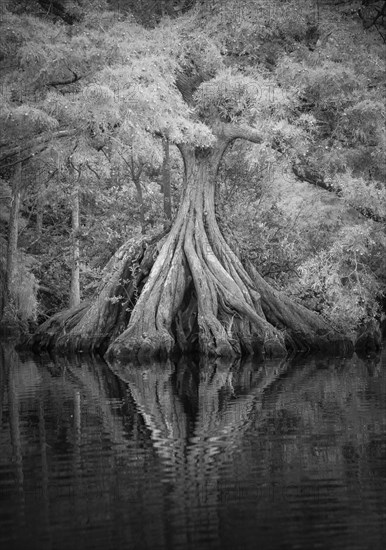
[(255, 456)]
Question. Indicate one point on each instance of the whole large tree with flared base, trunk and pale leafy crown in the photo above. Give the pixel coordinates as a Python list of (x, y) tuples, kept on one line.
[(196, 294)]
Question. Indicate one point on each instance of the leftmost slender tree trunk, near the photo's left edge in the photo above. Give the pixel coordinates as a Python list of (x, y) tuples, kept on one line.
[(13, 230)]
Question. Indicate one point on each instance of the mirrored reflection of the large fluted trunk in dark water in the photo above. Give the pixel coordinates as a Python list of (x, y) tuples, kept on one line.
[(197, 416)]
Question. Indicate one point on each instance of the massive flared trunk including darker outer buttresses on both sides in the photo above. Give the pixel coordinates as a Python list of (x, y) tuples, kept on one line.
[(195, 296)]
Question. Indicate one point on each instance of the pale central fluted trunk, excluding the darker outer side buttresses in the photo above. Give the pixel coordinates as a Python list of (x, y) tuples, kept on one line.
[(198, 294)]
